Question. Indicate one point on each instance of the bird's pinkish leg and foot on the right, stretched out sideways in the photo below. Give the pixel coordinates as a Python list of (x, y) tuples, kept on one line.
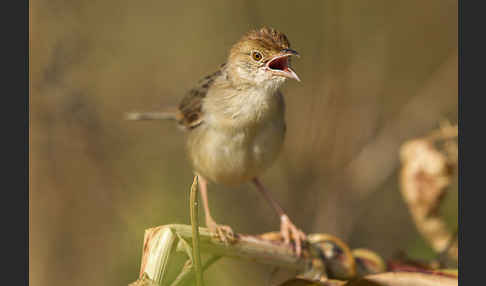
[(287, 229)]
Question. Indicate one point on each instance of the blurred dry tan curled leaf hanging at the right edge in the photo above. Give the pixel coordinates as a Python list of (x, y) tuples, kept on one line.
[(426, 173)]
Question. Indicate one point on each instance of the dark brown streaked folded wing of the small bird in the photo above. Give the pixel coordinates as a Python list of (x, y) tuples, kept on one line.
[(190, 108)]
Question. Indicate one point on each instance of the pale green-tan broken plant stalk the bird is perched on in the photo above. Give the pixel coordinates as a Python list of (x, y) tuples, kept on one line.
[(160, 244)]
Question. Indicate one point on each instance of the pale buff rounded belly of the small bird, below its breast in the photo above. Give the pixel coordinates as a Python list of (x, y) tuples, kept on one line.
[(232, 157)]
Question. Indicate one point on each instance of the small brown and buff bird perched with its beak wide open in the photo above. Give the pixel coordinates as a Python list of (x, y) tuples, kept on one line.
[(235, 121)]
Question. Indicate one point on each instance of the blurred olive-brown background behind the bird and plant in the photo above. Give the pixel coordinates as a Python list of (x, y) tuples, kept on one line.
[(374, 74)]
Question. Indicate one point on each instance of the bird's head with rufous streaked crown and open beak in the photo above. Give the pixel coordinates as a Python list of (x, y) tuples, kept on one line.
[(262, 57)]
